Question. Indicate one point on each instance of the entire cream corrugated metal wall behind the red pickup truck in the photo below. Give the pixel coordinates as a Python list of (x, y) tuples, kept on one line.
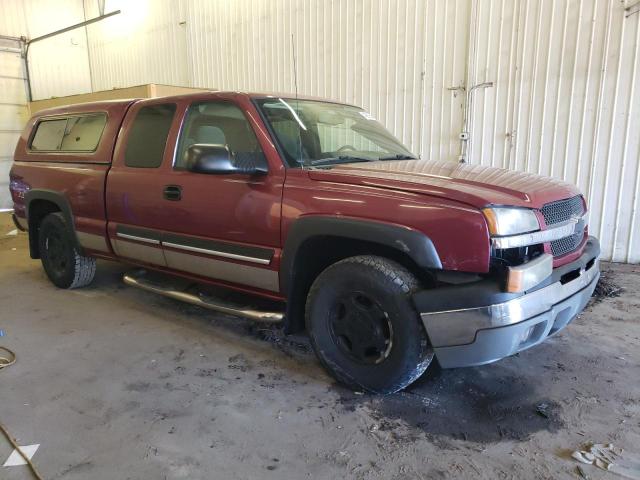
[(564, 101)]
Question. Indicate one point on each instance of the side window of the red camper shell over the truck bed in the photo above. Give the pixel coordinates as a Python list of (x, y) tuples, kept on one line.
[(70, 133)]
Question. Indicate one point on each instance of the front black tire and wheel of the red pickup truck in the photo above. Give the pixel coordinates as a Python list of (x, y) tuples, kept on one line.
[(363, 326)]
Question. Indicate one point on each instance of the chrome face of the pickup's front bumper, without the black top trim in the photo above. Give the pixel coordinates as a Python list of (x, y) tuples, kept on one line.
[(475, 336)]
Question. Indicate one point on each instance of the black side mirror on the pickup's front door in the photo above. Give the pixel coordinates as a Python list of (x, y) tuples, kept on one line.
[(218, 160)]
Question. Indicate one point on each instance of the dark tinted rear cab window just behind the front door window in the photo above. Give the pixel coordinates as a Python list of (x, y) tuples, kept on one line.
[(148, 136)]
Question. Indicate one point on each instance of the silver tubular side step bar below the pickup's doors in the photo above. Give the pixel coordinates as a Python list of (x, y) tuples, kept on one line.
[(203, 301)]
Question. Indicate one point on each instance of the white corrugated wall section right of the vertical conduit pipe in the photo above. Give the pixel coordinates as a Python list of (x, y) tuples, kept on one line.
[(566, 103)]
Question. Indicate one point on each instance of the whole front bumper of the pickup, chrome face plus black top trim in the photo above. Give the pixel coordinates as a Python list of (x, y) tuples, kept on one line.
[(489, 324)]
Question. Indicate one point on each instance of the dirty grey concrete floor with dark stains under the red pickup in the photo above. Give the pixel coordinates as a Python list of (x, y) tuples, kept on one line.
[(117, 383)]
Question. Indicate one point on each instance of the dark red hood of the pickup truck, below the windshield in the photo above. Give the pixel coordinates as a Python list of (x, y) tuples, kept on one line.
[(474, 185)]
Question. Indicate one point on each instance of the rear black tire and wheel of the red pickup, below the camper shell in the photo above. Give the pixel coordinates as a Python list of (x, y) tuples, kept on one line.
[(64, 266)]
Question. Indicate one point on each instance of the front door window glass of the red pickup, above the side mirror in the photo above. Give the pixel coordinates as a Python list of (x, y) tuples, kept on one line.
[(217, 123)]
